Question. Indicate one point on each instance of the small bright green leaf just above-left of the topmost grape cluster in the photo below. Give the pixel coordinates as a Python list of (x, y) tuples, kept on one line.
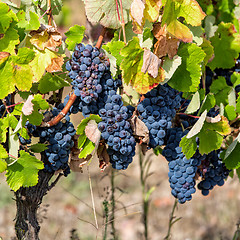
[(74, 36)]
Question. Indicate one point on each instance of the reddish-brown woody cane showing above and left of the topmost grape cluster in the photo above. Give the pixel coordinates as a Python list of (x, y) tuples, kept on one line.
[(73, 97)]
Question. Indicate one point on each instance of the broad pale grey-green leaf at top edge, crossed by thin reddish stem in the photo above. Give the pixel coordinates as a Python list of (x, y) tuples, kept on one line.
[(105, 12)]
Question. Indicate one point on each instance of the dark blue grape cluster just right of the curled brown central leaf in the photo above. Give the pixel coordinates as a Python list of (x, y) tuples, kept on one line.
[(157, 111)]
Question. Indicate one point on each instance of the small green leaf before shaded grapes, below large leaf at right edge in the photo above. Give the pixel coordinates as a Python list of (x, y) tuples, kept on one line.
[(220, 89)]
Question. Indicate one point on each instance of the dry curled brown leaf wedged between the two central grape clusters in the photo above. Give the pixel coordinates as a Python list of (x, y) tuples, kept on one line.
[(139, 129)]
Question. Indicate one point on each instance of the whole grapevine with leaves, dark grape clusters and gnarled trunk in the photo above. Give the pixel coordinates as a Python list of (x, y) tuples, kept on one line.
[(160, 77)]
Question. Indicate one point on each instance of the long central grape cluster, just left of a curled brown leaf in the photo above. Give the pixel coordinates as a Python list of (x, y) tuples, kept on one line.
[(116, 129)]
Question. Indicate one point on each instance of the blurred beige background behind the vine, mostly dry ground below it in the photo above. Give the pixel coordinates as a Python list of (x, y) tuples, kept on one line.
[(67, 210)]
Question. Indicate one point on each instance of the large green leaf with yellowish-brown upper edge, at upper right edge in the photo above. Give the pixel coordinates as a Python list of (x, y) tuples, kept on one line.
[(226, 40)]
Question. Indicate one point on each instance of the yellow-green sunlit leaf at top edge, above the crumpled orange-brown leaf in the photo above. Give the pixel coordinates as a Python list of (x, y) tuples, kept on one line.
[(190, 10)]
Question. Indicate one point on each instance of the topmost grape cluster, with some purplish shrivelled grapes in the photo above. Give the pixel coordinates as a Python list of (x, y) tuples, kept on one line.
[(86, 68)]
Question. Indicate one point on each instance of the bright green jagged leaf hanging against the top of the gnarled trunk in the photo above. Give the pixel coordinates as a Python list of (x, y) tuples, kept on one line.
[(24, 172)]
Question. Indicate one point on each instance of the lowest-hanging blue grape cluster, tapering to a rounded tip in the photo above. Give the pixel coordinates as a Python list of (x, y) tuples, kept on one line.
[(182, 171)]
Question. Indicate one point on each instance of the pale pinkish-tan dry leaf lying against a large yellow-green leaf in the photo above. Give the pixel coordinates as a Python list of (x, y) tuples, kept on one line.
[(151, 63)]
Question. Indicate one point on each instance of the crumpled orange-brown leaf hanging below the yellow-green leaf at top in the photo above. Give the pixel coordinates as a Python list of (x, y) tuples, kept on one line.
[(166, 44)]
